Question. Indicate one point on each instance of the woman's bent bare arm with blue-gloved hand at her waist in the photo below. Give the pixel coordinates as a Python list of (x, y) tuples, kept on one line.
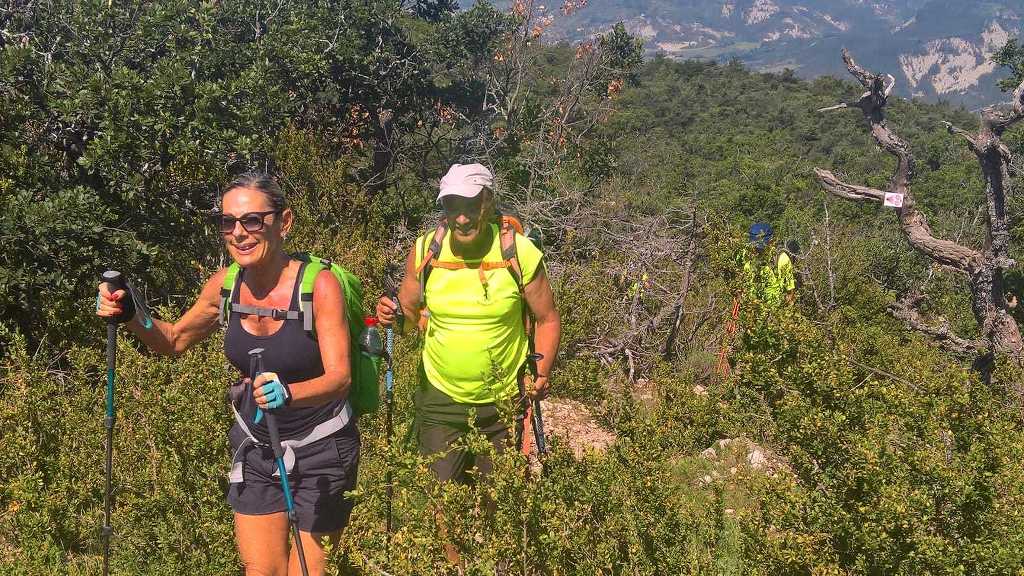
[(333, 337)]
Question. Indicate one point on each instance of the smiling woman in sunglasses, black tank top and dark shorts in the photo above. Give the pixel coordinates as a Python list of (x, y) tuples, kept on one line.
[(308, 388)]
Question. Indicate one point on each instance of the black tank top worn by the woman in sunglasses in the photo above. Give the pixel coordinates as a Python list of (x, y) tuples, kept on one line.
[(290, 352)]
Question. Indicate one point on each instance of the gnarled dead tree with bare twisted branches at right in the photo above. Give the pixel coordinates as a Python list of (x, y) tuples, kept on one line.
[(986, 268)]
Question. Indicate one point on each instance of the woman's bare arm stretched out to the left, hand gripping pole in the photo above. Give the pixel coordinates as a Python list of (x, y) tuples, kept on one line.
[(165, 338)]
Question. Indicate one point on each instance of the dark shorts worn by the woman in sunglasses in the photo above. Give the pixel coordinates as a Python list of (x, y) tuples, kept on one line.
[(323, 473)]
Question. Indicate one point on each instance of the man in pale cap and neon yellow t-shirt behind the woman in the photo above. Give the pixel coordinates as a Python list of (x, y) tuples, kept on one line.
[(479, 284)]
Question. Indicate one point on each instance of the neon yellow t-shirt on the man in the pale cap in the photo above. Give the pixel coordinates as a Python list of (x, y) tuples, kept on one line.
[(476, 341)]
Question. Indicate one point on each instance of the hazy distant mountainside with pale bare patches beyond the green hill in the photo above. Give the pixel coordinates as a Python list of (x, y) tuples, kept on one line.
[(937, 50)]
